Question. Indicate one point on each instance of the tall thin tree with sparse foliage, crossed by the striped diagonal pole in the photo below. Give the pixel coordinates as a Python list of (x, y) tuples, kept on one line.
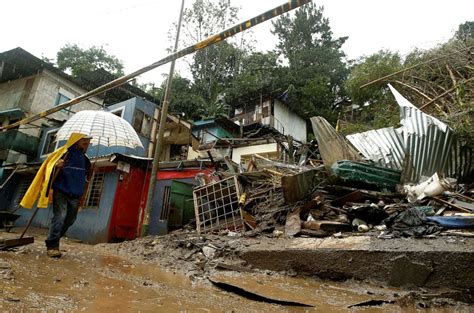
[(213, 69)]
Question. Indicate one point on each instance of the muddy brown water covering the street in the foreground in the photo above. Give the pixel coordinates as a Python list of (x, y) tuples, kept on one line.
[(84, 281)]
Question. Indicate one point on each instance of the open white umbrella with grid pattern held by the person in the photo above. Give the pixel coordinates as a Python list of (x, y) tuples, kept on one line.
[(105, 128)]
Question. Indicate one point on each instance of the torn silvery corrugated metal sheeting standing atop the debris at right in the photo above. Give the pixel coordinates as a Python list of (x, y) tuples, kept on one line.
[(422, 146)]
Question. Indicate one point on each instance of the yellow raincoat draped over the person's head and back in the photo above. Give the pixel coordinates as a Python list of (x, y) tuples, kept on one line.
[(41, 182)]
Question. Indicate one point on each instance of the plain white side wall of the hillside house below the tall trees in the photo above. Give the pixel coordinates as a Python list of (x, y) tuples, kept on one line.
[(289, 123)]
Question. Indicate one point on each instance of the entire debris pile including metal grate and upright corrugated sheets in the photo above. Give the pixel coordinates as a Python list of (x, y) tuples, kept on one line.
[(317, 198)]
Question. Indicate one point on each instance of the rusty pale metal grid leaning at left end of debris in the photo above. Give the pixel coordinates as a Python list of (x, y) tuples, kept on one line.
[(216, 206)]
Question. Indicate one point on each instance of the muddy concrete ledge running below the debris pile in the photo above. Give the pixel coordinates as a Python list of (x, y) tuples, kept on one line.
[(440, 262)]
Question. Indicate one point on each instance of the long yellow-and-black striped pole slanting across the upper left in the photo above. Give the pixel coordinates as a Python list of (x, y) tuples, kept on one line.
[(290, 5)]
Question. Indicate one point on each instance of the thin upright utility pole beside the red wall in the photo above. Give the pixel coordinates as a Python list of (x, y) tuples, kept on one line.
[(161, 129)]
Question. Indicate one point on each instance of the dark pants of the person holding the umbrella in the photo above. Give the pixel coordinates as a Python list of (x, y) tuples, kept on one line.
[(64, 214)]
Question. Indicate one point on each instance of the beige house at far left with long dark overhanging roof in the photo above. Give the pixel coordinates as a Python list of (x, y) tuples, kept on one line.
[(28, 86)]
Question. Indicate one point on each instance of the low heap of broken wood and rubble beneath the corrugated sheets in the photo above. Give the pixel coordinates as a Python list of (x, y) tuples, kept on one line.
[(276, 199)]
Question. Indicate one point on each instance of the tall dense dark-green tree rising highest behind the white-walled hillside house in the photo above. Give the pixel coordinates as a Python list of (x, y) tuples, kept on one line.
[(316, 66)]
